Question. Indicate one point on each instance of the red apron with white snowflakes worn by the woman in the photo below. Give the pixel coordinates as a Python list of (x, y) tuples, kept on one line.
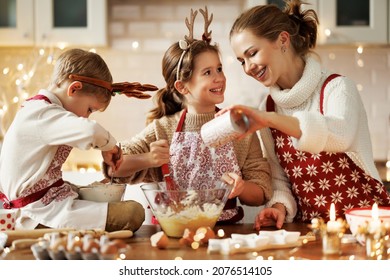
[(319, 179)]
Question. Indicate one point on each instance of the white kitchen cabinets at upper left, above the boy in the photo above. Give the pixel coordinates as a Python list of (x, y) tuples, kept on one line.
[(54, 22)]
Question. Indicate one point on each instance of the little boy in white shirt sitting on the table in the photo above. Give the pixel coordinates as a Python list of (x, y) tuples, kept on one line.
[(41, 137)]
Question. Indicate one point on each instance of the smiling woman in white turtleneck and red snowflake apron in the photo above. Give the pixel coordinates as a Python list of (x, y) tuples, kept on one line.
[(313, 124)]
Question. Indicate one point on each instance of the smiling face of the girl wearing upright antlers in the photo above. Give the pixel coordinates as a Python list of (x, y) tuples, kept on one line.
[(207, 85)]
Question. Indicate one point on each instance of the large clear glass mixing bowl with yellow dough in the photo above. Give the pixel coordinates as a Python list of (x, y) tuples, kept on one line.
[(178, 210)]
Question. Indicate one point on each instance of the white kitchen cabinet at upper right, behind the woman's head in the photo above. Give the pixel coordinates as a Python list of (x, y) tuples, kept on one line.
[(353, 21)]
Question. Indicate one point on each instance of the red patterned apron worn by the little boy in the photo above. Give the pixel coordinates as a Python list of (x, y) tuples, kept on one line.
[(49, 187)]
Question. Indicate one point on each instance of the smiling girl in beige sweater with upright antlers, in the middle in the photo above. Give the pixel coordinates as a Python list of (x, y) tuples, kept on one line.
[(195, 83)]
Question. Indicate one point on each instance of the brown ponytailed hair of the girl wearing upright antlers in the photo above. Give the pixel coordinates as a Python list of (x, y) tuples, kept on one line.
[(168, 100)]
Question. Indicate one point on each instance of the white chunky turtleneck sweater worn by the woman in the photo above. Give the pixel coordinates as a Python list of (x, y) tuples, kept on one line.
[(342, 127)]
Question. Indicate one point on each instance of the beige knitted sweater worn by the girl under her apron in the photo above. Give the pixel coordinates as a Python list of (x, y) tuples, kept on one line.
[(253, 165)]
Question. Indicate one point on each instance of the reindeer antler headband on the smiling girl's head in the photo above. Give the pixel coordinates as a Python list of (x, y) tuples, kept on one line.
[(185, 45)]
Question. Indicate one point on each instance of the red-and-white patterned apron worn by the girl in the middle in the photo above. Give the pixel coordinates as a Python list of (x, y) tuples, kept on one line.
[(192, 163)]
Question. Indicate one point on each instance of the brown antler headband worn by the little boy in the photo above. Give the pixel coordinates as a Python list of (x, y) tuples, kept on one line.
[(129, 89)]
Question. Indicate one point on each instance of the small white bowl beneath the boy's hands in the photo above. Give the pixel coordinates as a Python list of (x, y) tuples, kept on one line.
[(102, 192)]
